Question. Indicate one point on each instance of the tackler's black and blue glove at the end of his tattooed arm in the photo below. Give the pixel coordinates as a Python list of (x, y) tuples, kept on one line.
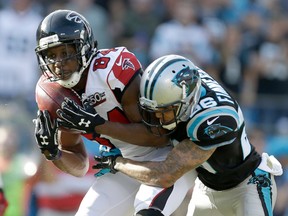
[(106, 162)]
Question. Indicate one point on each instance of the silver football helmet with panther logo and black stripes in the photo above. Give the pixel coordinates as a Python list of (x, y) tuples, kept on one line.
[(170, 82)]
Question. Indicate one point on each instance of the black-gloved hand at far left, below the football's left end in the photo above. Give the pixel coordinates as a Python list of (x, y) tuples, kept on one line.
[(46, 135)]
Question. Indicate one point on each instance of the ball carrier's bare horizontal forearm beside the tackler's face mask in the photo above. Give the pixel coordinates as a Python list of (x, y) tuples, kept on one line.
[(135, 133)]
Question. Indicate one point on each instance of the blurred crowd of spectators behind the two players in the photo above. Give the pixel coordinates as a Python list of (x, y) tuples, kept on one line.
[(243, 44)]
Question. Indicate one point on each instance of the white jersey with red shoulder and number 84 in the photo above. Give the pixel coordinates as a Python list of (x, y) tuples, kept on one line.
[(110, 72)]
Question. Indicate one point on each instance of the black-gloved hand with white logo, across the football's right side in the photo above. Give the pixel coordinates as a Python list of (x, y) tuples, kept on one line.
[(83, 119)]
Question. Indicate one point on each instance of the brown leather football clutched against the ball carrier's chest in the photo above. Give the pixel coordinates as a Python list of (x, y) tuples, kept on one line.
[(50, 95)]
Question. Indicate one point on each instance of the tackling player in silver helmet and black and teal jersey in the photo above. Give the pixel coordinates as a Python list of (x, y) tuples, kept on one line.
[(208, 128)]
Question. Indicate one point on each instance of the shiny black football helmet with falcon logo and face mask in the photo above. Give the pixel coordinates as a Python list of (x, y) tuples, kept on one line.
[(63, 27)]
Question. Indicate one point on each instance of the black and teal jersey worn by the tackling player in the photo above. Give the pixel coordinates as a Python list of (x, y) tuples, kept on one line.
[(217, 121)]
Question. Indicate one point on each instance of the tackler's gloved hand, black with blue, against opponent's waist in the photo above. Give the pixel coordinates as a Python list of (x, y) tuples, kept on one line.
[(106, 161)]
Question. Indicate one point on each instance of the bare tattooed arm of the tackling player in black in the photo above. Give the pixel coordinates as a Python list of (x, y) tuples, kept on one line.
[(184, 157)]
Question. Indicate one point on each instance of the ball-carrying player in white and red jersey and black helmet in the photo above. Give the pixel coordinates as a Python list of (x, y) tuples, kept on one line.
[(108, 82)]
